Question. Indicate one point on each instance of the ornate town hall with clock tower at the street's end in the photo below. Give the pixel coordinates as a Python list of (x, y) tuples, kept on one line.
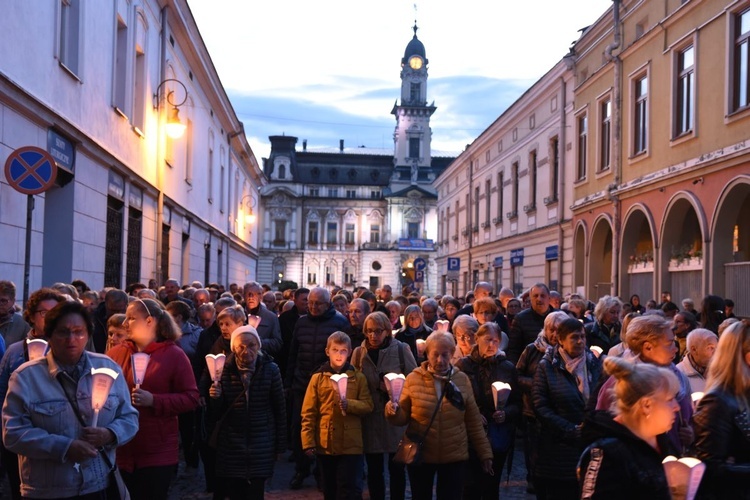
[(357, 216)]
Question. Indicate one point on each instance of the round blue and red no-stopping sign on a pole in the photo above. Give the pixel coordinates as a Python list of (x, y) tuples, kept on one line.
[(30, 170)]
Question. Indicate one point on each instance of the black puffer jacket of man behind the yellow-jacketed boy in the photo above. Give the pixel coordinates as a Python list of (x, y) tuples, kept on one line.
[(308, 349)]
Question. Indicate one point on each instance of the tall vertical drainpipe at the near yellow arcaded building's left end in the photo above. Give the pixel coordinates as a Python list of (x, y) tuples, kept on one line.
[(616, 146)]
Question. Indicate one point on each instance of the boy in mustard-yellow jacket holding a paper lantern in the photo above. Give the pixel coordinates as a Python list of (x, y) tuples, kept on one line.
[(332, 425)]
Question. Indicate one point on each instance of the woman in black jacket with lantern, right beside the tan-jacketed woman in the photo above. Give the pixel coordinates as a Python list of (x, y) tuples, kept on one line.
[(486, 365)]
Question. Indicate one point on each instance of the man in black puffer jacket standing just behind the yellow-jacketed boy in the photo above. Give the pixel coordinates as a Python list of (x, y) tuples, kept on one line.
[(306, 353)]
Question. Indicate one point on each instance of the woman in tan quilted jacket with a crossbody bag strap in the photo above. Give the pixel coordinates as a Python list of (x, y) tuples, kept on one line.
[(446, 446)]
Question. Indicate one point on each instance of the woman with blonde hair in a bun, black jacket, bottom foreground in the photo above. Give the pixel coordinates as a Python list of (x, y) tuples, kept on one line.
[(625, 459)]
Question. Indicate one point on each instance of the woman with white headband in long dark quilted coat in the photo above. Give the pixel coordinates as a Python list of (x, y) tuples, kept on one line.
[(248, 408)]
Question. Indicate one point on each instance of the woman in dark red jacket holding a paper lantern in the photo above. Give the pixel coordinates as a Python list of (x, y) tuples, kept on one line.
[(149, 461)]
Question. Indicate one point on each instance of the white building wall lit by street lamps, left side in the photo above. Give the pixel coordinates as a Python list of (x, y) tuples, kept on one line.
[(34, 97)]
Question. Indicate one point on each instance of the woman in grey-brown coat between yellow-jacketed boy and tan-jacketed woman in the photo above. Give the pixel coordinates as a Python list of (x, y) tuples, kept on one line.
[(378, 355)]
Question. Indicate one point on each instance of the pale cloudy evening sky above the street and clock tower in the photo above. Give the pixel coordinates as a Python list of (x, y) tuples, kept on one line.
[(329, 70)]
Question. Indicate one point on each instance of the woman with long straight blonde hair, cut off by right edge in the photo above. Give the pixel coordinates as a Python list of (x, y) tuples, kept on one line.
[(721, 421)]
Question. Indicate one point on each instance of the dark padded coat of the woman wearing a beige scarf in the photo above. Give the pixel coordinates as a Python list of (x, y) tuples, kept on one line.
[(560, 408)]
